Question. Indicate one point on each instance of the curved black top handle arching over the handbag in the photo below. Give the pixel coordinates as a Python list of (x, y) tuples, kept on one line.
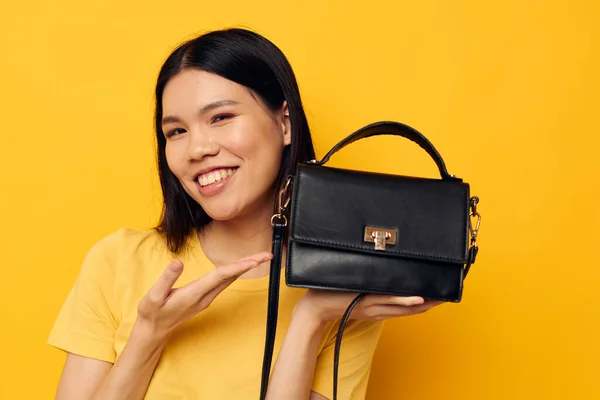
[(396, 129)]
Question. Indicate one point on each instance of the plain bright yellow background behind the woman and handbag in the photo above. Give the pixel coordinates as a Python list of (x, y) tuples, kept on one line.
[(507, 91)]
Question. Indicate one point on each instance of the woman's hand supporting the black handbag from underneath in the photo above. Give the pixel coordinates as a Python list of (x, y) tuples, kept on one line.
[(328, 305)]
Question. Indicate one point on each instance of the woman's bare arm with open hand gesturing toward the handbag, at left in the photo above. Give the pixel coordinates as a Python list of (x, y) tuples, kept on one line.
[(160, 311)]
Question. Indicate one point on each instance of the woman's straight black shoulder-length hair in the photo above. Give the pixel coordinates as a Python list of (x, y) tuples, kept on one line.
[(251, 60)]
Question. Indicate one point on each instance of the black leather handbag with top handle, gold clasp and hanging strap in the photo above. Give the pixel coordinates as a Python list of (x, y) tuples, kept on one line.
[(370, 232)]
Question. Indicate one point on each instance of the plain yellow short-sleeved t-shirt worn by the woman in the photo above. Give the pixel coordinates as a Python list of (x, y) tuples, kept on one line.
[(217, 354)]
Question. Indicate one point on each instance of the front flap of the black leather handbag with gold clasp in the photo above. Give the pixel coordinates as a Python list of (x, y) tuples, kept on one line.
[(428, 218)]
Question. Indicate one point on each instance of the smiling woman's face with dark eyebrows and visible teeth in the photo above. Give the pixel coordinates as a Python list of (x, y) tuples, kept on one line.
[(223, 144)]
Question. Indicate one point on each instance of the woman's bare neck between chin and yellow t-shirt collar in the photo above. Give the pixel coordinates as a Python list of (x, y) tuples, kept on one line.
[(225, 242)]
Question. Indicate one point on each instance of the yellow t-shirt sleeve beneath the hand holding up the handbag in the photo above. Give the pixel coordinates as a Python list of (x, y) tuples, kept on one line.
[(356, 354)]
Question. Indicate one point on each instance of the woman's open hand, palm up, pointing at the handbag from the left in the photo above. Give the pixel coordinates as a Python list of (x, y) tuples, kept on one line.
[(163, 308)]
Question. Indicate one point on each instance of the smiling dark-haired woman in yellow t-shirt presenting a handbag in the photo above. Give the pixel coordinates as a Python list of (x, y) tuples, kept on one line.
[(229, 126)]
